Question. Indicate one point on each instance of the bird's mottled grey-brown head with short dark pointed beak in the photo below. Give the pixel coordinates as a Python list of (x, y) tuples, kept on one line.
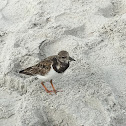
[(63, 57)]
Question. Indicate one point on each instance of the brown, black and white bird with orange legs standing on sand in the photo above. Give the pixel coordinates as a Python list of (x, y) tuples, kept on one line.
[(50, 68)]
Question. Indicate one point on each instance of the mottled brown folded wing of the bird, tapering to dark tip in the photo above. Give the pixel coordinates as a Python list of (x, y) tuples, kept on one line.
[(41, 68)]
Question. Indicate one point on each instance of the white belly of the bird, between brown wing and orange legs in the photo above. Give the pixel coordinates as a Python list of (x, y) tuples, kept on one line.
[(50, 75)]
